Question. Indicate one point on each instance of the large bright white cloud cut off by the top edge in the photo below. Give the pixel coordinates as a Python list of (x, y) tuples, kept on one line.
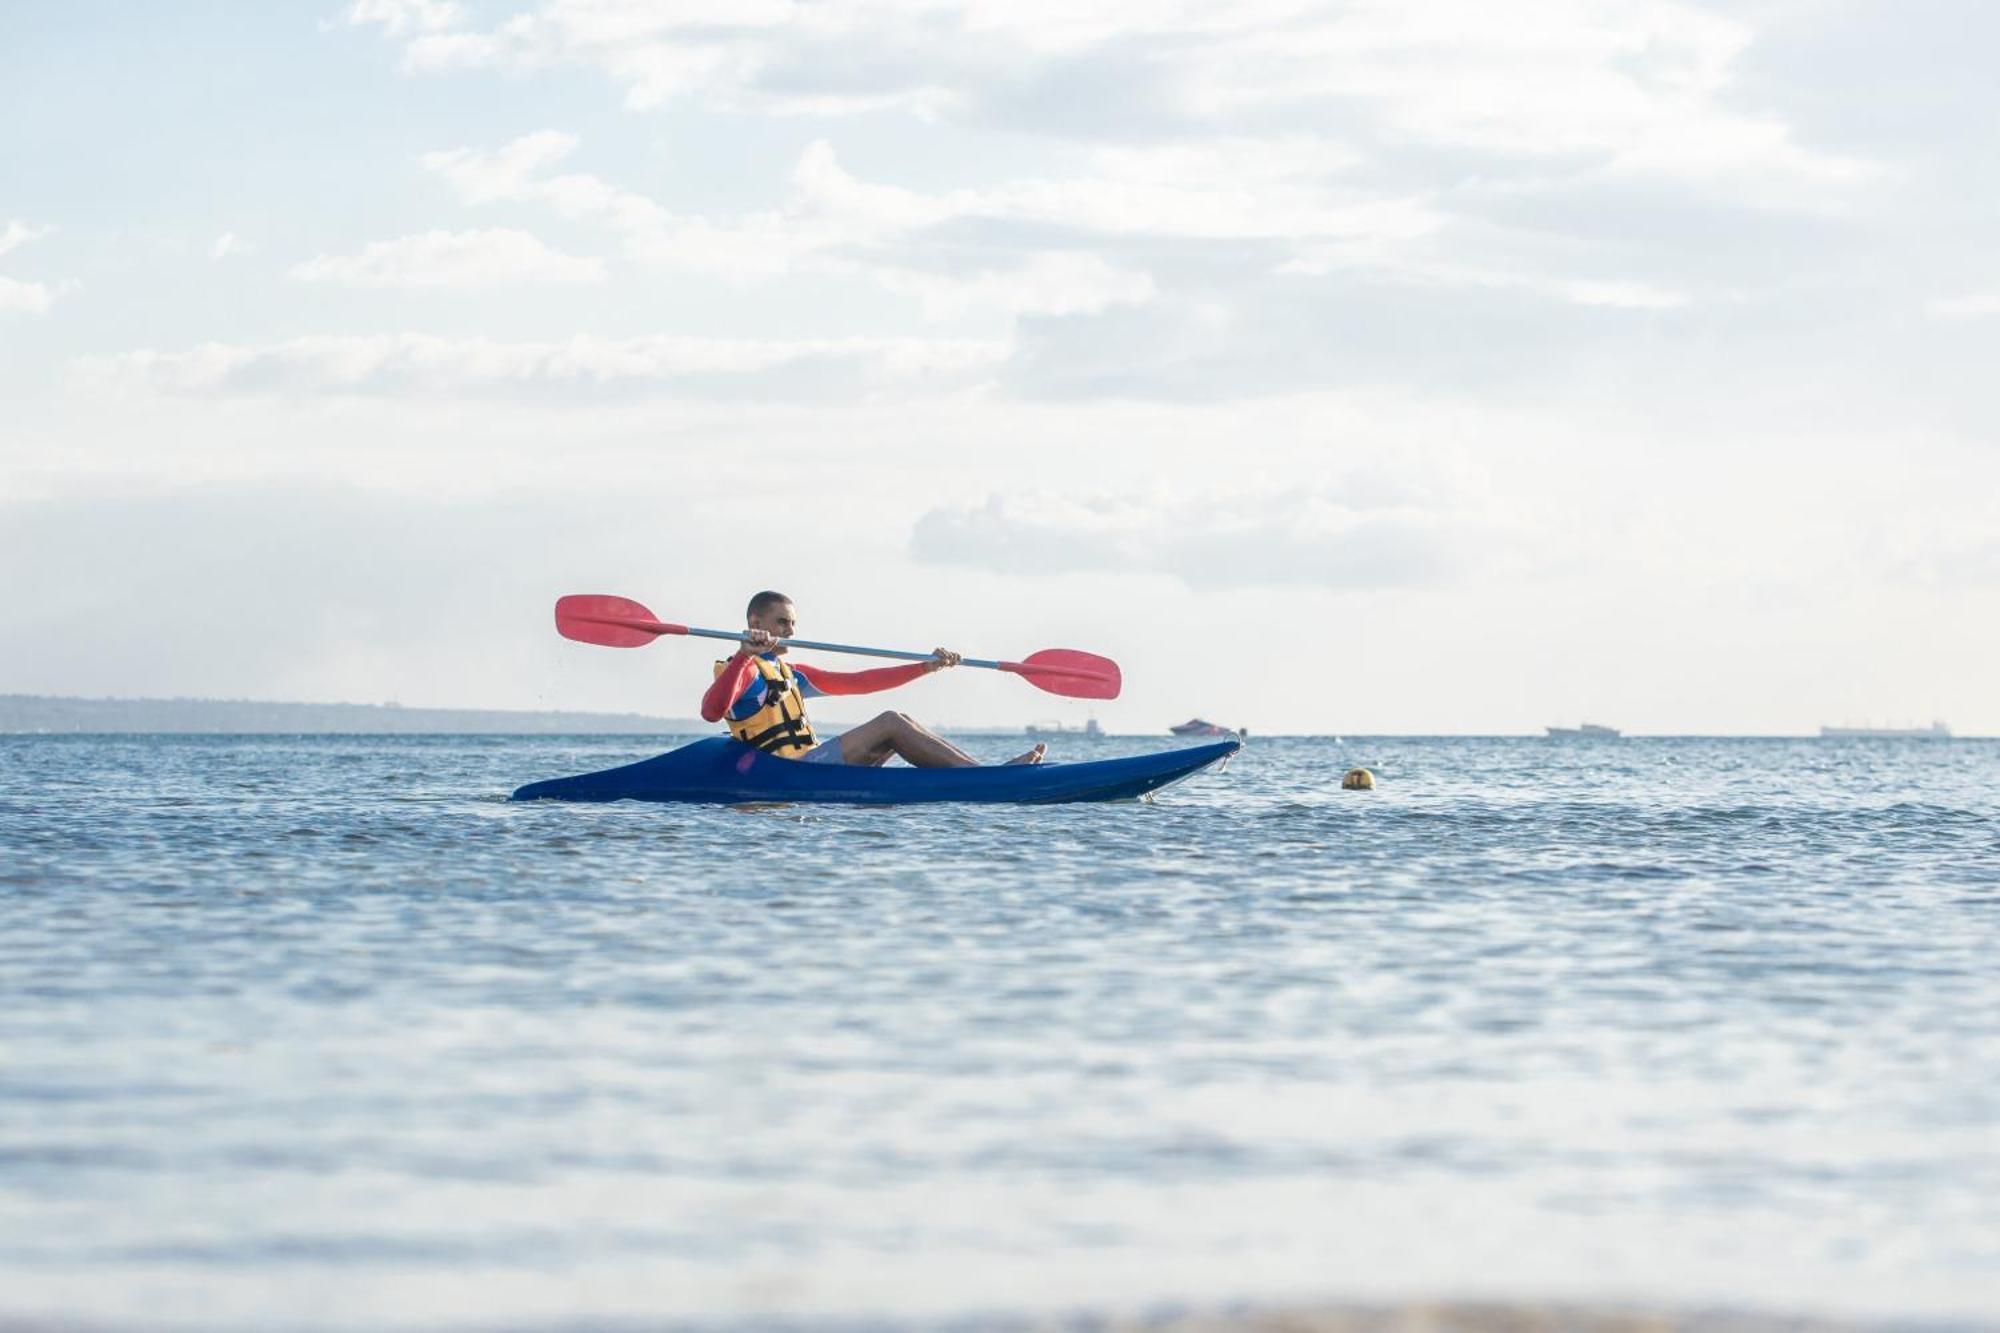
[(1637, 87)]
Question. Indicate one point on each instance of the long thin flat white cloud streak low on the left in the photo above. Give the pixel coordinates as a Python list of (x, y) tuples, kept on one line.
[(429, 365)]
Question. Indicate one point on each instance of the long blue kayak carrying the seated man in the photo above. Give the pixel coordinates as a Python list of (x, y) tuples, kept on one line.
[(733, 774)]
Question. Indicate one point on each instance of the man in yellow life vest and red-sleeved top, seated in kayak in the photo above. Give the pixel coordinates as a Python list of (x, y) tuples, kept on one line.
[(763, 700)]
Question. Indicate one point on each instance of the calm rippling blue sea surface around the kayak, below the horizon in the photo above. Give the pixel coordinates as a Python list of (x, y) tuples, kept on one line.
[(325, 1034)]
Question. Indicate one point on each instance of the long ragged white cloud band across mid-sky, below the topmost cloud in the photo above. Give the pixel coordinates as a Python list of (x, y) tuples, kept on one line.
[(1257, 205)]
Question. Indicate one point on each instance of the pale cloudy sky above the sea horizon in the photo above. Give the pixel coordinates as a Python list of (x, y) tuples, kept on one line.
[(1371, 367)]
